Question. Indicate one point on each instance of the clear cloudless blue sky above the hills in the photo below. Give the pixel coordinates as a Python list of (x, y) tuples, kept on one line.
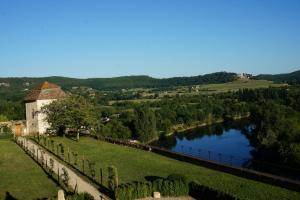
[(160, 38)]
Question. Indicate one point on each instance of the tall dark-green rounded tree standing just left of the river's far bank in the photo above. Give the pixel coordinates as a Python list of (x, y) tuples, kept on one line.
[(145, 124)]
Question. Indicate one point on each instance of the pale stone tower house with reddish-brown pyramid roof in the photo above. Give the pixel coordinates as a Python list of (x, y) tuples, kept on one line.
[(39, 96)]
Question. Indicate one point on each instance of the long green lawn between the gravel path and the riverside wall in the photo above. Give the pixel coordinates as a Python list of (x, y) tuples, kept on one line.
[(134, 164)]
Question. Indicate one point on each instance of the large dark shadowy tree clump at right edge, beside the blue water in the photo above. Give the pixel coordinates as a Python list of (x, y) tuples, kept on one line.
[(277, 133)]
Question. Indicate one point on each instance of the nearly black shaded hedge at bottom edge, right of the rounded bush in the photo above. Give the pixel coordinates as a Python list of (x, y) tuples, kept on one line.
[(203, 192)]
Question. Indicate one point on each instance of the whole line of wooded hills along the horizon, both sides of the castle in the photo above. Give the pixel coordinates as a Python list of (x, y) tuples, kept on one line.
[(140, 81)]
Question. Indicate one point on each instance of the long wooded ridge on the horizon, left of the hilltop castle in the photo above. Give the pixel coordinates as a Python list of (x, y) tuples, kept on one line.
[(24, 83)]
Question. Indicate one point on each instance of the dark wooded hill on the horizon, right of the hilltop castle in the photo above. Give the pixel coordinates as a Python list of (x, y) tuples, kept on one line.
[(290, 78)]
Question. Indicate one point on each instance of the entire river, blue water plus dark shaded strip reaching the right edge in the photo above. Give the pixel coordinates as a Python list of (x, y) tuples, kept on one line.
[(226, 143)]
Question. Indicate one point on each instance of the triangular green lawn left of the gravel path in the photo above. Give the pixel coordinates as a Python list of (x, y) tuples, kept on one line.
[(20, 176)]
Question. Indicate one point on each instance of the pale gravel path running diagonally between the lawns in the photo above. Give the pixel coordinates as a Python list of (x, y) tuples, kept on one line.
[(75, 181)]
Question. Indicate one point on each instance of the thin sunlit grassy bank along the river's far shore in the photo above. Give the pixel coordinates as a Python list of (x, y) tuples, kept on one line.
[(179, 128)]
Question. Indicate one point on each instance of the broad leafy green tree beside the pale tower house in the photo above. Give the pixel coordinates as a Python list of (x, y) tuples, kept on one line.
[(72, 114)]
